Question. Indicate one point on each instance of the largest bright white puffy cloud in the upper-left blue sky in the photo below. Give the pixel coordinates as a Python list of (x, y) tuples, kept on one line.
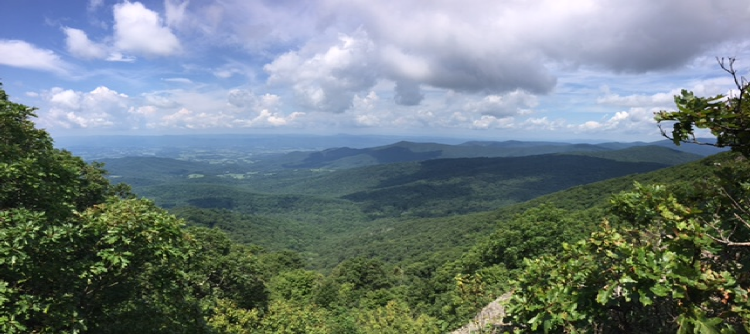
[(140, 30)]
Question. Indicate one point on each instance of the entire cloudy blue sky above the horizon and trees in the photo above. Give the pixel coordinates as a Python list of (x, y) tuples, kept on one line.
[(575, 70)]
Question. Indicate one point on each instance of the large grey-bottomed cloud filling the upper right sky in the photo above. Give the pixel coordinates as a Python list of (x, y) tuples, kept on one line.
[(501, 47)]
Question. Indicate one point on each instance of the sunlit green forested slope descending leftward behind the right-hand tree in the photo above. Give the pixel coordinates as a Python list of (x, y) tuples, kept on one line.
[(412, 240)]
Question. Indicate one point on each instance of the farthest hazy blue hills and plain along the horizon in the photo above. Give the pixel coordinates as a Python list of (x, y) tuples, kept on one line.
[(335, 151)]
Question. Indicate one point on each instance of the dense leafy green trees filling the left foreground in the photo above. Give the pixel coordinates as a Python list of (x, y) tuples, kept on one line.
[(78, 254)]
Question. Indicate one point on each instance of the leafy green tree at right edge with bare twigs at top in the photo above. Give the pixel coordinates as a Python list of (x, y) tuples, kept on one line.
[(678, 260)]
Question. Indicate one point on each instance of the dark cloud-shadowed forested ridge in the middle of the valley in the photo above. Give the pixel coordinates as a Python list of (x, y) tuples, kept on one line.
[(448, 186)]
